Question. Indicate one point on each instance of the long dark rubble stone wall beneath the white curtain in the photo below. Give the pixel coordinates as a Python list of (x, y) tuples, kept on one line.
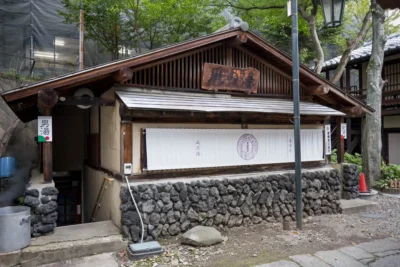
[(171, 208)]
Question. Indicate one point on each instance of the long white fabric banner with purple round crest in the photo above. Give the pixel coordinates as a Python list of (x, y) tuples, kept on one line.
[(200, 148)]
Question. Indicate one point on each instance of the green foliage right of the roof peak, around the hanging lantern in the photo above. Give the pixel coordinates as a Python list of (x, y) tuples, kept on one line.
[(269, 18)]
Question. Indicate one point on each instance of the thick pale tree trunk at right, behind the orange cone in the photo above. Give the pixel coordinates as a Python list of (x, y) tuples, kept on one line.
[(372, 142)]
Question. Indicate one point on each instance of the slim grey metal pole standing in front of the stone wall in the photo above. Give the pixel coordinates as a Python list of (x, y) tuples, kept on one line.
[(296, 112)]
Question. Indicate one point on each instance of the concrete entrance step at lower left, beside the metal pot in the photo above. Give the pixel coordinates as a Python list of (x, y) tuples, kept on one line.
[(67, 243)]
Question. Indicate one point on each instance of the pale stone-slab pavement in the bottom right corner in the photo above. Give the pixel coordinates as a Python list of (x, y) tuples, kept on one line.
[(378, 253)]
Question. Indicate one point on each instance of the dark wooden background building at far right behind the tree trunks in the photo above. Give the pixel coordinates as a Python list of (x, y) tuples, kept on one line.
[(354, 81)]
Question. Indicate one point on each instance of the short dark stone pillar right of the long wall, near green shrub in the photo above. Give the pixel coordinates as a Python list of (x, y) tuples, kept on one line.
[(350, 181)]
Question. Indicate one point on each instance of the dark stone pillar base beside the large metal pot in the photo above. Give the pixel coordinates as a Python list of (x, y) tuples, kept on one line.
[(42, 198)]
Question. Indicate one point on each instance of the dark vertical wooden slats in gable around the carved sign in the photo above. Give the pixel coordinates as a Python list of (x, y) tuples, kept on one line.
[(185, 71)]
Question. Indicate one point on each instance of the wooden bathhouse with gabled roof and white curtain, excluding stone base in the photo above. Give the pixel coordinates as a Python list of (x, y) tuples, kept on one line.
[(168, 113)]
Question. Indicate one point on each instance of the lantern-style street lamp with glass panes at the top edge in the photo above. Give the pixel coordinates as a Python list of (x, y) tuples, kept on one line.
[(333, 12)]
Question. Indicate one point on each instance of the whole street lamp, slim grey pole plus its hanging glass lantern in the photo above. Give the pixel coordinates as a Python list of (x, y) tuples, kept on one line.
[(333, 7)]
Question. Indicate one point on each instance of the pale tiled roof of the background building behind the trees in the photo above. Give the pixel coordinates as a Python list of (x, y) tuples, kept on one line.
[(364, 52)]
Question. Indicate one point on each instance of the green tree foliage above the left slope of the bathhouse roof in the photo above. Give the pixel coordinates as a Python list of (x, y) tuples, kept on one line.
[(153, 23)]
